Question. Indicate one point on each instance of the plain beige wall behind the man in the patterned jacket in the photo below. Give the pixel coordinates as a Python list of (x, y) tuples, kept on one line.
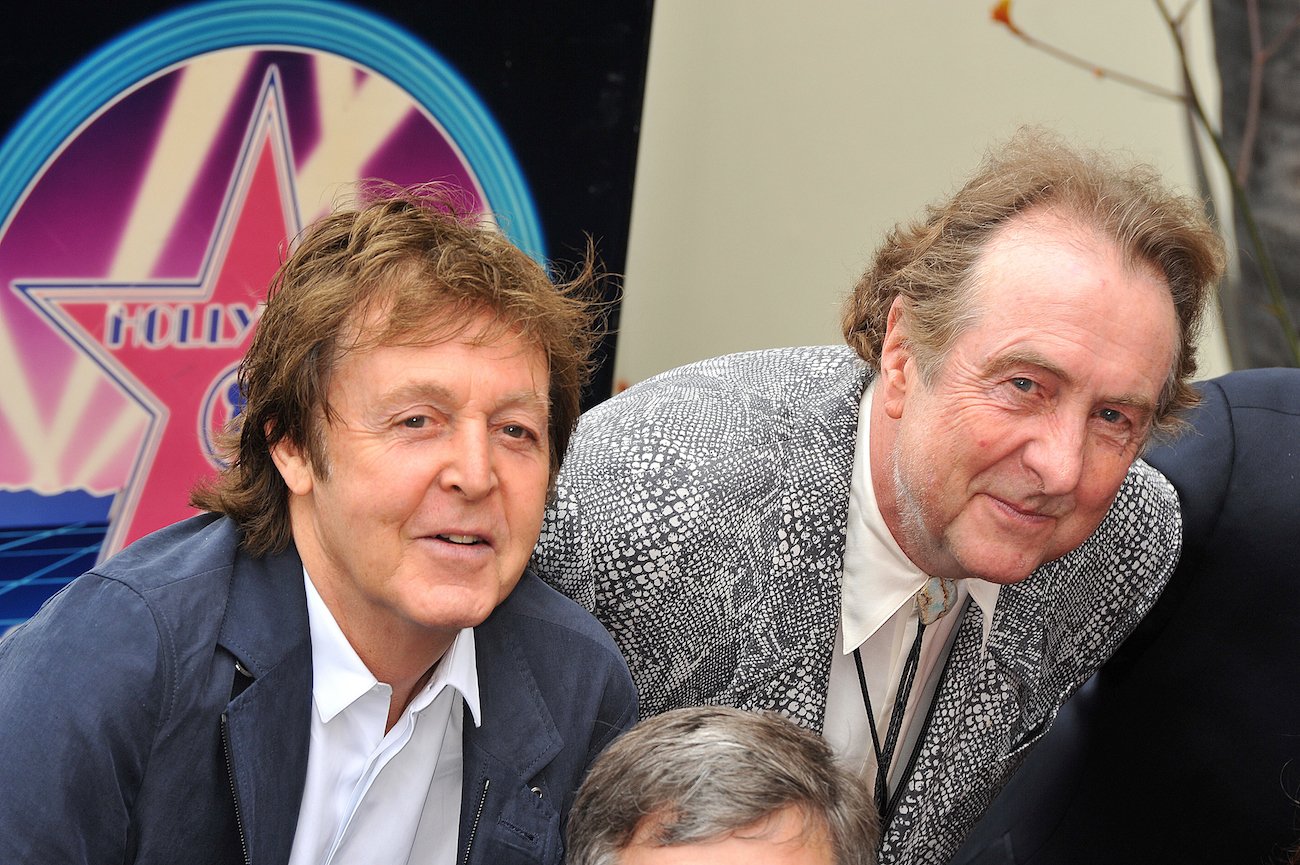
[(782, 140)]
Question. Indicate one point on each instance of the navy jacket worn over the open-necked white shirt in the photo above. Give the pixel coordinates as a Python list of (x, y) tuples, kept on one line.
[(128, 733)]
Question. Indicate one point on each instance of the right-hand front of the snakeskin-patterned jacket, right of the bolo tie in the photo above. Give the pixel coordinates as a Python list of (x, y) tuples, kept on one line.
[(1050, 635)]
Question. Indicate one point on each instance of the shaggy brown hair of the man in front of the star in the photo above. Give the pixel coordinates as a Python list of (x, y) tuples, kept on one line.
[(424, 259)]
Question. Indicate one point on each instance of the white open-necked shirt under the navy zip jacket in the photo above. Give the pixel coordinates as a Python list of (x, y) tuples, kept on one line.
[(375, 797)]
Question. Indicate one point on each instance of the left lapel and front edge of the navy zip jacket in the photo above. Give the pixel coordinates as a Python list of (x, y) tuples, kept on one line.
[(267, 725)]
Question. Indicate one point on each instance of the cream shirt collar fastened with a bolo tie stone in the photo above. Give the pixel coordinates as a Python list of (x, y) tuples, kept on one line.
[(878, 576)]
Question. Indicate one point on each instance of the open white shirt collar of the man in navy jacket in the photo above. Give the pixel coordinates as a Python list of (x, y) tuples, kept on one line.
[(340, 677)]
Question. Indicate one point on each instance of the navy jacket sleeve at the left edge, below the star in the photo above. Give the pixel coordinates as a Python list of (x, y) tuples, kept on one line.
[(81, 695)]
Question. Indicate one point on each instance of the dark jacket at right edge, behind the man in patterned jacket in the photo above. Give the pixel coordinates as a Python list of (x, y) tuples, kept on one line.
[(1186, 749)]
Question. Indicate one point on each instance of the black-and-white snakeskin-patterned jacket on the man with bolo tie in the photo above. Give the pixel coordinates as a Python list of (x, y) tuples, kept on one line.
[(701, 517)]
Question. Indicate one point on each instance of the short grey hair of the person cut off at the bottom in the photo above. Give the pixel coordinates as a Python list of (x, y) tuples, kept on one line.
[(707, 772)]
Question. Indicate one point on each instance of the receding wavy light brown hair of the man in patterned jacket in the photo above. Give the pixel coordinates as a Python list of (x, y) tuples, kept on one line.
[(933, 263)]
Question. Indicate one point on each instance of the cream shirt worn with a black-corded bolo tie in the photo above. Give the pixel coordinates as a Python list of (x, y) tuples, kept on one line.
[(878, 619)]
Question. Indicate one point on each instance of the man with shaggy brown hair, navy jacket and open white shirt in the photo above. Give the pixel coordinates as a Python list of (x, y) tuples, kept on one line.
[(345, 660)]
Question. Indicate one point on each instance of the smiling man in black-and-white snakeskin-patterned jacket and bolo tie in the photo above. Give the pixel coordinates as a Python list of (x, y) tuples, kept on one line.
[(786, 530)]
